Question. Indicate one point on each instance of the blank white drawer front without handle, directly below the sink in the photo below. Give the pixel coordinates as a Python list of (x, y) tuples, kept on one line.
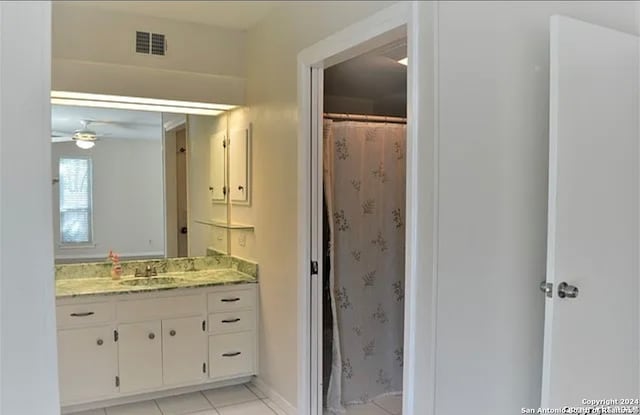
[(160, 308)]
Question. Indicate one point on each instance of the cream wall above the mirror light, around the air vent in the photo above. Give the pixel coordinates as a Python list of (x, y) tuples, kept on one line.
[(94, 51)]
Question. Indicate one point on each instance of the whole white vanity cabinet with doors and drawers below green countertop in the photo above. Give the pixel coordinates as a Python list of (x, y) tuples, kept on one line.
[(136, 343)]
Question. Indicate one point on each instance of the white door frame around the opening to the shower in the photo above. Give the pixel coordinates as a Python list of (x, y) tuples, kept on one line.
[(418, 21)]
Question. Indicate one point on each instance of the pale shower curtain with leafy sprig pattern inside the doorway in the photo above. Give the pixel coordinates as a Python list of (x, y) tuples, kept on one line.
[(364, 176)]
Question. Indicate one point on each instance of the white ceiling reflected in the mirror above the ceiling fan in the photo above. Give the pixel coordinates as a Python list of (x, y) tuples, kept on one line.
[(109, 123)]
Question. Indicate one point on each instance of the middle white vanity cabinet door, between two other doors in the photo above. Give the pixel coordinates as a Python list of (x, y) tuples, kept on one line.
[(140, 356)]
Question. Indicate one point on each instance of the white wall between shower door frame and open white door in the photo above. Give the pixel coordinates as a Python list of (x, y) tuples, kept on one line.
[(493, 145)]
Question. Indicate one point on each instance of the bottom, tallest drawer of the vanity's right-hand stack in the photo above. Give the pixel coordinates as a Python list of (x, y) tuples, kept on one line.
[(231, 355)]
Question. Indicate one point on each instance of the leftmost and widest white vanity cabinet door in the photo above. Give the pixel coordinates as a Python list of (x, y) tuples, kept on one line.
[(88, 365)]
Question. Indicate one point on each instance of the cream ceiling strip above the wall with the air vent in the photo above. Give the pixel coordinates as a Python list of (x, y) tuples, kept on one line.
[(239, 15)]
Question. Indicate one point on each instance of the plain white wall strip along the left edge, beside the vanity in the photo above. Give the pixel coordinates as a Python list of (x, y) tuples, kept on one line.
[(28, 357)]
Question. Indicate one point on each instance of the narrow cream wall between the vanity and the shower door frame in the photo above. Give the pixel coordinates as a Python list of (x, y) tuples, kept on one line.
[(272, 48)]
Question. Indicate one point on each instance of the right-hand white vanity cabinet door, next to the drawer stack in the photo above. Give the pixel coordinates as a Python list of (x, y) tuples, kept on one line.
[(184, 350)]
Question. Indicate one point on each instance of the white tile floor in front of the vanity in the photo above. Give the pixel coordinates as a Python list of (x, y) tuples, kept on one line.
[(232, 400)]
